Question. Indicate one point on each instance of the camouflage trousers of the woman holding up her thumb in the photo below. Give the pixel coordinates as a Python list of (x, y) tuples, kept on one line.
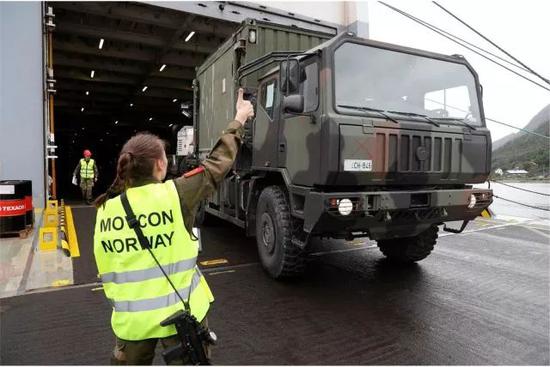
[(142, 352)]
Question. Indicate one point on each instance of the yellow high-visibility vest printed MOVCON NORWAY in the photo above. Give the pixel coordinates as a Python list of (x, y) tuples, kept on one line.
[(139, 293)]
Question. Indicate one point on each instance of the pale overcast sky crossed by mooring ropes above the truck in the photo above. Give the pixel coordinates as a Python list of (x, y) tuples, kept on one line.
[(520, 27)]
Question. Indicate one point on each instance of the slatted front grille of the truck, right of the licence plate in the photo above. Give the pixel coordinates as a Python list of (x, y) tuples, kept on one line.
[(418, 153)]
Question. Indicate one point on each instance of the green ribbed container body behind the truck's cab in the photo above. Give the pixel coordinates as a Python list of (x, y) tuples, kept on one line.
[(216, 76)]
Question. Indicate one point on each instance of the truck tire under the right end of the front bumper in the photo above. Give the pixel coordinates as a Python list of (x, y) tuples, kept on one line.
[(409, 249)]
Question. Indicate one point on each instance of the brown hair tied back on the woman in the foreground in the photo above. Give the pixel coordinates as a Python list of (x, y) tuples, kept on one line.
[(135, 163)]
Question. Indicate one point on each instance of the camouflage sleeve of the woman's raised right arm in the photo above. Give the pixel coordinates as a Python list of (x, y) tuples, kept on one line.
[(197, 187)]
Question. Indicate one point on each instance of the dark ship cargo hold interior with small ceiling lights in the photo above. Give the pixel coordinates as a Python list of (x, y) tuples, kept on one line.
[(121, 68)]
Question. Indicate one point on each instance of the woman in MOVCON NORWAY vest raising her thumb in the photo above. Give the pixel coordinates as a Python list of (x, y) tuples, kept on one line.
[(138, 291)]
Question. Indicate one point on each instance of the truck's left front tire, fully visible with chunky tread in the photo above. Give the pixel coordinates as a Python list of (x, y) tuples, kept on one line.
[(279, 257)]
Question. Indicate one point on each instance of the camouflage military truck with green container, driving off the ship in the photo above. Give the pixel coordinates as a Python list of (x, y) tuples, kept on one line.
[(351, 138)]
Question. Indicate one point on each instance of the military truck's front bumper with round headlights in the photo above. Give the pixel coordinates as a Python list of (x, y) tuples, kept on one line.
[(389, 214)]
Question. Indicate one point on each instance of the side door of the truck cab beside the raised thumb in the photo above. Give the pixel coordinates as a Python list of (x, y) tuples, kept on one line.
[(266, 124)]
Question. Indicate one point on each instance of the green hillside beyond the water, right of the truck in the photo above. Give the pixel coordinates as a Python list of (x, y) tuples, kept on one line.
[(527, 151)]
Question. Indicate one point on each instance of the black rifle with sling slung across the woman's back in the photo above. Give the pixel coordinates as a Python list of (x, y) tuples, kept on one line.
[(192, 334)]
